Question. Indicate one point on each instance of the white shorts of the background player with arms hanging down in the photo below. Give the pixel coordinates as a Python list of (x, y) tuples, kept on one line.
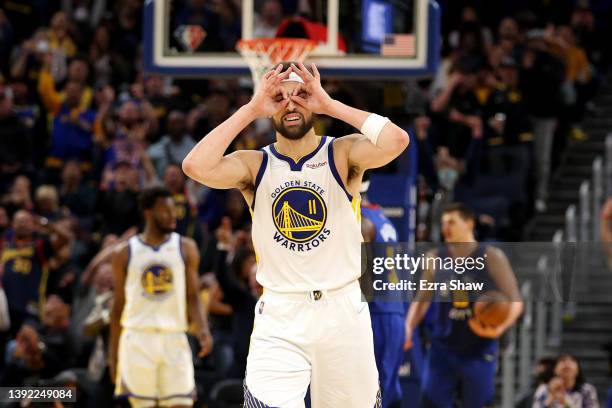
[(155, 369)]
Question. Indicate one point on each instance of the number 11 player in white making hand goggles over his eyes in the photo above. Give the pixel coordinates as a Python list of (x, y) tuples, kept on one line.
[(311, 327)]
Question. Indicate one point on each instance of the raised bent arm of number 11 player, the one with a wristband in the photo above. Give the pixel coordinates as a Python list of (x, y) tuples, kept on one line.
[(361, 153)]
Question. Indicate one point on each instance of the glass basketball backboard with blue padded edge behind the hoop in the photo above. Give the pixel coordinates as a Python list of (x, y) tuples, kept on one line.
[(369, 39)]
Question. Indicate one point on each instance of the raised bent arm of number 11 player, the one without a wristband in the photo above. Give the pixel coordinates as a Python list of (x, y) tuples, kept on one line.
[(207, 162)]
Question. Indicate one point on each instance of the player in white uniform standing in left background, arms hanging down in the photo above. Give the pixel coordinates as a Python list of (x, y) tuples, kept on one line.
[(156, 289)]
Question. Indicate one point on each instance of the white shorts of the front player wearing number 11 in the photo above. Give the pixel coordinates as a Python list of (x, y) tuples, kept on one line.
[(322, 339)]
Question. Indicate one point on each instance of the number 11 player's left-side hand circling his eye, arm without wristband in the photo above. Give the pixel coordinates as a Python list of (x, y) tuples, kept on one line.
[(269, 97)]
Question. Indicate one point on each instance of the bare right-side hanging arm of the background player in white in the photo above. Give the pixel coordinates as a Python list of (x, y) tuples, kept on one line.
[(194, 305)]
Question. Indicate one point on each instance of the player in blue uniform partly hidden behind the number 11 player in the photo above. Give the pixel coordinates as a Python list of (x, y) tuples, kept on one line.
[(388, 315)]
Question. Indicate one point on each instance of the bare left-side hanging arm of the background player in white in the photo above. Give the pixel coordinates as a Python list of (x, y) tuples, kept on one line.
[(119, 262)]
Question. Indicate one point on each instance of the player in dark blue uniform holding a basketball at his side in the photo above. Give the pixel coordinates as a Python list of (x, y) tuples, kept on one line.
[(462, 358)]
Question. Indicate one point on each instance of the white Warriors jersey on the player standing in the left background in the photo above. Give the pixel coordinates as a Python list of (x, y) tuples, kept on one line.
[(155, 292)]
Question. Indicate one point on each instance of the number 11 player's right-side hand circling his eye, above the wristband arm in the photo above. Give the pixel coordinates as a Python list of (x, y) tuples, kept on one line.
[(311, 94)]
